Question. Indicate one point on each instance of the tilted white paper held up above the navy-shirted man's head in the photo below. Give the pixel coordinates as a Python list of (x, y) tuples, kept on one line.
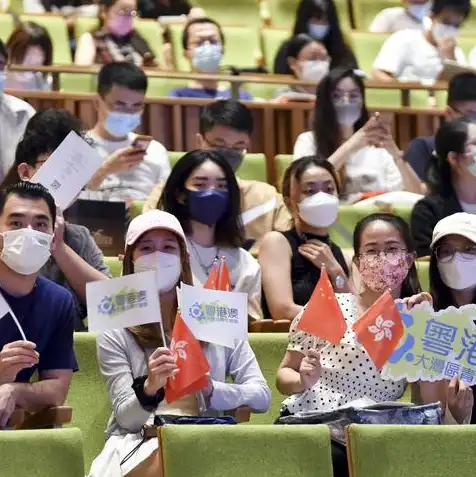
[(71, 166)]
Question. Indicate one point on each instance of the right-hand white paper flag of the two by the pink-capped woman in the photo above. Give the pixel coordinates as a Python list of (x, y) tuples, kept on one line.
[(215, 316)]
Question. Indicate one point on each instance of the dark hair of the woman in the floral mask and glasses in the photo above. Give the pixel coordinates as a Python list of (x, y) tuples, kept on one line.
[(411, 284)]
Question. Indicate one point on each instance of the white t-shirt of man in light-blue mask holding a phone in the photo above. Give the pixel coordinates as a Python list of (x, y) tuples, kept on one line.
[(134, 184)]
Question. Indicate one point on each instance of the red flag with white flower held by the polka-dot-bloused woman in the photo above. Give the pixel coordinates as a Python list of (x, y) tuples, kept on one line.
[(380, 329)]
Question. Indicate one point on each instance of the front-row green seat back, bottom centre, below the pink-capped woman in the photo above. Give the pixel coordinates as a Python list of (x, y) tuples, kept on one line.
[(264, 451)]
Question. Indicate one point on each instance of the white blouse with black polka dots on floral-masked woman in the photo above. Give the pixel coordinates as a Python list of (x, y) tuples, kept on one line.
[(348, 373)]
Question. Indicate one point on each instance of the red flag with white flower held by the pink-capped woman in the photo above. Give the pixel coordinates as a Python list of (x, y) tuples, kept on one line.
[(191, 361)]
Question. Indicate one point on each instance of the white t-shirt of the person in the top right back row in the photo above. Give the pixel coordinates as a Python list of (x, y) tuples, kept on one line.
[(408, 56)]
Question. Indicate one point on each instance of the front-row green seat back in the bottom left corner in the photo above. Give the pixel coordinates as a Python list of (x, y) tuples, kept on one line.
[(42, 453)]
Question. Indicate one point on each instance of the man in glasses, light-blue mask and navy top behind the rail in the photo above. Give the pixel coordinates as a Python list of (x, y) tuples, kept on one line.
[(203, 44)]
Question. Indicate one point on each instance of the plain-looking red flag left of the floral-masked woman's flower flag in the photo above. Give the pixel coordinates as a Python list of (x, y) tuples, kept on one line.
[(322, 316)]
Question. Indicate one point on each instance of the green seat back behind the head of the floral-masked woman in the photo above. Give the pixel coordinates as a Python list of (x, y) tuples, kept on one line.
[(342, 231)]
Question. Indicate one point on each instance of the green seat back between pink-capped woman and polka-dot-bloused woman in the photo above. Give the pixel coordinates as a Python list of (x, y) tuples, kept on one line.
[(269, 349)]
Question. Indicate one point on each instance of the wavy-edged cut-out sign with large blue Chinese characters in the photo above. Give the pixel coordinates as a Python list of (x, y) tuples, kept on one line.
[(435, 345)]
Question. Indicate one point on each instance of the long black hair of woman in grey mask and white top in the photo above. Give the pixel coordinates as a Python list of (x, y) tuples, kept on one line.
[(327, 134)]
